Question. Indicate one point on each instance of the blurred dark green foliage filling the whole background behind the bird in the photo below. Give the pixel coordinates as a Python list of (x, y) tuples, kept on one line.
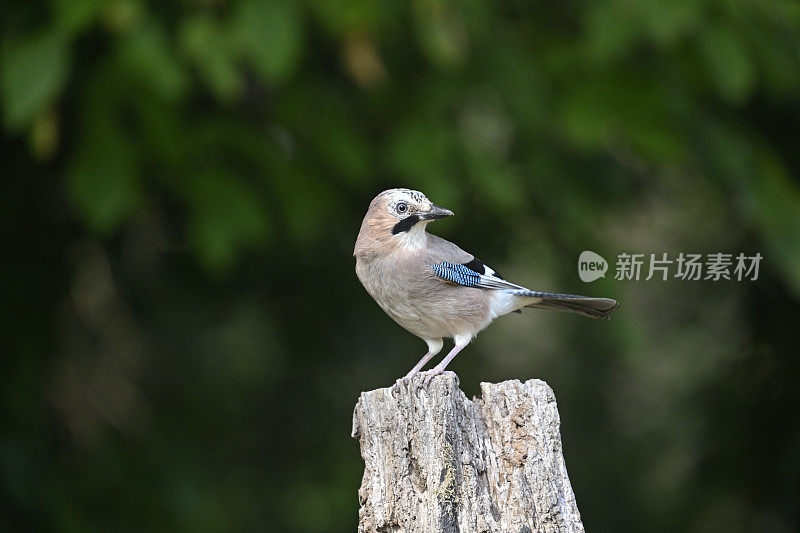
[(184, 181)]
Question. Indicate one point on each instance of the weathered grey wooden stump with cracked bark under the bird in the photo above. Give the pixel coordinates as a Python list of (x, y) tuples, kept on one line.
[(436, 461)]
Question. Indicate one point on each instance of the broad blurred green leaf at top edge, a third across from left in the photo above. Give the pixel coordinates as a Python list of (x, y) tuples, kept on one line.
[(270, 35)]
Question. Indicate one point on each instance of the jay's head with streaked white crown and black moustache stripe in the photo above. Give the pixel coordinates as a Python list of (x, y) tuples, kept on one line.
[(400, 216)]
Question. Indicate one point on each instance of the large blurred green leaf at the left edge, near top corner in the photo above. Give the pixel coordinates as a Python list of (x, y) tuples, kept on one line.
[(33, 72)]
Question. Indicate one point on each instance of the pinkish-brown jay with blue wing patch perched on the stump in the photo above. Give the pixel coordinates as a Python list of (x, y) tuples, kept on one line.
[(433, 288)]
